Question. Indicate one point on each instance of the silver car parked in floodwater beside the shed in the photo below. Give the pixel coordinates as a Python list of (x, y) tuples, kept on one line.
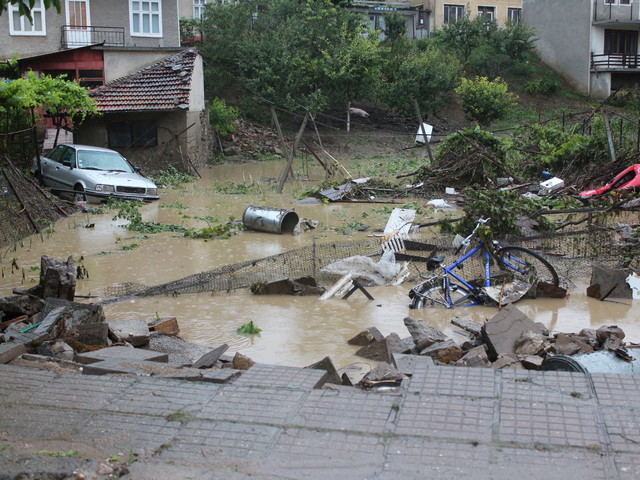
[(92, 174)]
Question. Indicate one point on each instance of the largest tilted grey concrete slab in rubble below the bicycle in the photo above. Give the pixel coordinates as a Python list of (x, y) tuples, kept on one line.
[(502, 332)]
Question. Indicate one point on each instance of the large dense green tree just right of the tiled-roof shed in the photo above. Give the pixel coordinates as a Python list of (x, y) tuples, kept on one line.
[(288, 68)]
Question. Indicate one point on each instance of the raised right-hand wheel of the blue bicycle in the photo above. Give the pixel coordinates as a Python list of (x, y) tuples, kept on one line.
[(527, 265)]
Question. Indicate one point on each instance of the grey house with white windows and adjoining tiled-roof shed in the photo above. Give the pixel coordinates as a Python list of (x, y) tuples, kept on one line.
[(101, 42)]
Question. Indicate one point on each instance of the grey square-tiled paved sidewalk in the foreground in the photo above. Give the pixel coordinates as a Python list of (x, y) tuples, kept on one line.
[(271, 423)]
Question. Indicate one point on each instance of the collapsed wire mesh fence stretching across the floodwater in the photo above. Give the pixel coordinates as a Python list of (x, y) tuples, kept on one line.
[(564, 250)]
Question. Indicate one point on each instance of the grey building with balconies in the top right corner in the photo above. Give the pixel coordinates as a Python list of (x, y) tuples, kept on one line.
[(592, 43)]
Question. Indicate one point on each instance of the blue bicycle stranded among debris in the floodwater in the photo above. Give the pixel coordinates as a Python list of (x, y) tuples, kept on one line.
[(509, 272)]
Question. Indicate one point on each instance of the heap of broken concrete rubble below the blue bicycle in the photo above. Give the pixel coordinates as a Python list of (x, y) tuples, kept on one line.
[(507, 340)]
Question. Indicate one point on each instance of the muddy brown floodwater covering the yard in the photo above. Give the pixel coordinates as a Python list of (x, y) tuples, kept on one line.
[(296, 331)]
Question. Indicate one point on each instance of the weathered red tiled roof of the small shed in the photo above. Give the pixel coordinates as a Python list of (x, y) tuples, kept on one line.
[(159, 87)]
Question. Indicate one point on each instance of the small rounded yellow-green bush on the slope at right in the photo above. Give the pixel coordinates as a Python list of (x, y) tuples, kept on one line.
[(485, 101)]
